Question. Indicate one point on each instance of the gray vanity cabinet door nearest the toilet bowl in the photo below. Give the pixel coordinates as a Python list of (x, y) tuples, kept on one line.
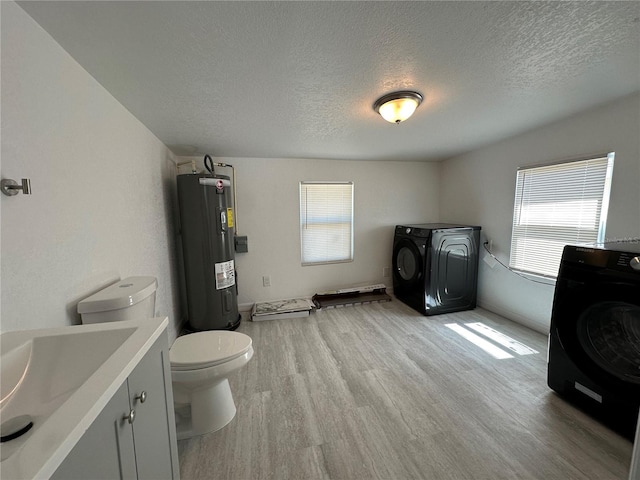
[(154, 426)]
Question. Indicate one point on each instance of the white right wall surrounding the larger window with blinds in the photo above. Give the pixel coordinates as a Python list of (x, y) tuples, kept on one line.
[(479, 188)]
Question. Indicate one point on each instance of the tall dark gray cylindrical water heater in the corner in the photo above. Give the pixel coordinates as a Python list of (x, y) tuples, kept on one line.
[(206, 227)]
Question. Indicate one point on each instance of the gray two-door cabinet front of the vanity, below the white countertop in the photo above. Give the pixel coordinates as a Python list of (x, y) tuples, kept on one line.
[(131, 437)]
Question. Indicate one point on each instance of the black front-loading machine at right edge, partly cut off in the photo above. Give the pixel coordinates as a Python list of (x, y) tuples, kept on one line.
[(594, 342)]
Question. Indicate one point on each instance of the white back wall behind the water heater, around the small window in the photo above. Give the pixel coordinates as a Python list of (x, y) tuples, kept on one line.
[(385, 194)]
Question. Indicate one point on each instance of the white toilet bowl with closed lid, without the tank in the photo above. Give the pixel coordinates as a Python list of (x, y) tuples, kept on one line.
[(200, 366)]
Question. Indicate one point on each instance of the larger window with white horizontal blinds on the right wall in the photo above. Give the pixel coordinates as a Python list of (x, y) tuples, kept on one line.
[(557, 205)]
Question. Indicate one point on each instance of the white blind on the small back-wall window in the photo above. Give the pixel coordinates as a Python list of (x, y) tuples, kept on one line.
[(326, 222)]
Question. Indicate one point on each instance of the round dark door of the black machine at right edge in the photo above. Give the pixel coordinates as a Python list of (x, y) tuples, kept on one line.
[(600, 331)]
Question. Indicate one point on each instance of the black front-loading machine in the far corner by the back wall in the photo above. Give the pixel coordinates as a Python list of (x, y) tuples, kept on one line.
[(435, 266)]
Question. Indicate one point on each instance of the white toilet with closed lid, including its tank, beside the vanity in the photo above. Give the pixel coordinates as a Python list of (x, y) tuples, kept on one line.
[(200, 362)]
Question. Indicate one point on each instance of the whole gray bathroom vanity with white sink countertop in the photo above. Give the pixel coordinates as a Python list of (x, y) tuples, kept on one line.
[(115, 421)]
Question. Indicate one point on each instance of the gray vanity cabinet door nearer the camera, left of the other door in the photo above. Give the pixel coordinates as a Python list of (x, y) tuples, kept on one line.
[(106, 450)]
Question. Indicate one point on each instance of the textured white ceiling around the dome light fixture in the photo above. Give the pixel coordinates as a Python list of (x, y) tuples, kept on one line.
[(298, 79)]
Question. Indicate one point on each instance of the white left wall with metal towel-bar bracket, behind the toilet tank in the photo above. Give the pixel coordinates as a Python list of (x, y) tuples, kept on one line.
[(102, 186)]
